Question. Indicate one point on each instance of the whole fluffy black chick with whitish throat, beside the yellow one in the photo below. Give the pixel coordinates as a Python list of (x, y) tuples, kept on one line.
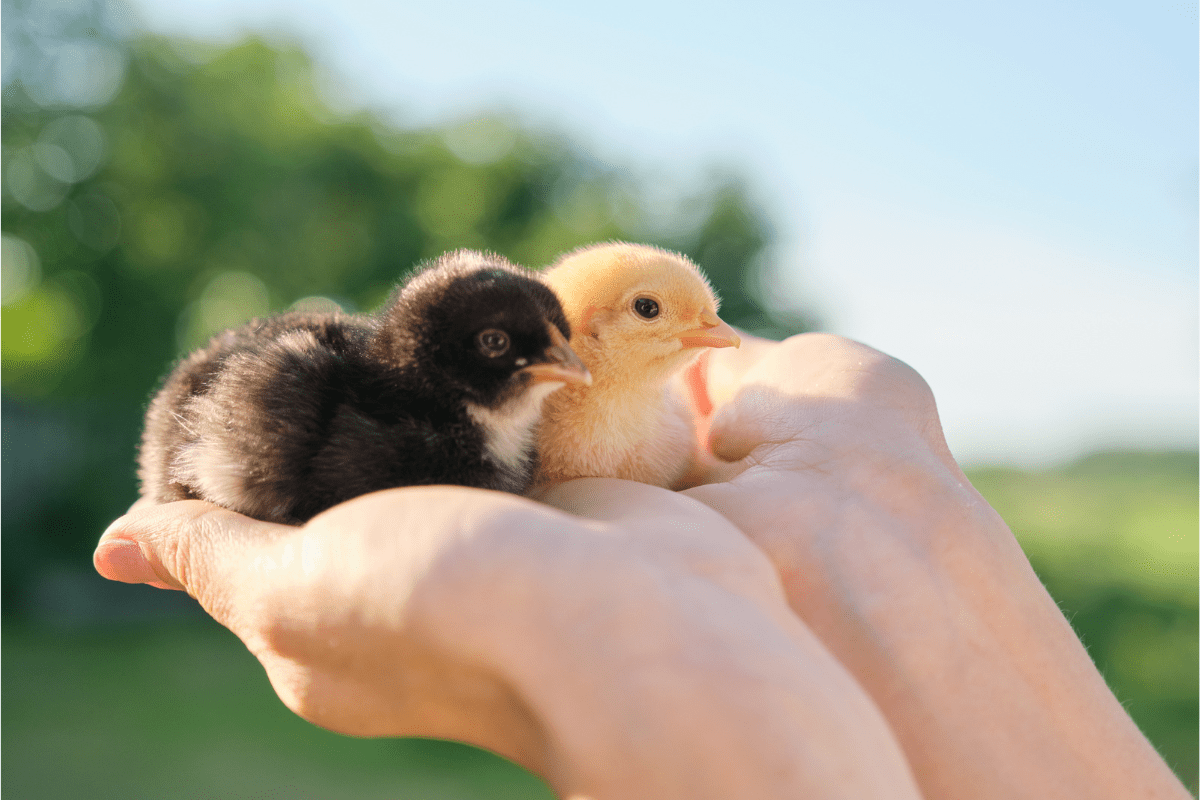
[(290, 416)]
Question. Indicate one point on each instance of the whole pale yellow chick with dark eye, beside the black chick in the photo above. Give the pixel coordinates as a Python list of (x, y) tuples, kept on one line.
[(639, 315)]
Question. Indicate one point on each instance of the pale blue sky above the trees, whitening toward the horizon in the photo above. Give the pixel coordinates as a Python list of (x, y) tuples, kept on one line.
[(1001, 195)]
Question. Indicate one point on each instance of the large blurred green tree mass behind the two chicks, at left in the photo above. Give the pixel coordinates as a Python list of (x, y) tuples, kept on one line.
[(158, 191)]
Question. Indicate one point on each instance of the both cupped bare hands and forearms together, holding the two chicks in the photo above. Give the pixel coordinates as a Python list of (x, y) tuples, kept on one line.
[(629, 642)]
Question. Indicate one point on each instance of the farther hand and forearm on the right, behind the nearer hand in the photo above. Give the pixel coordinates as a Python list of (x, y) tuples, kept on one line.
[(832, 460)]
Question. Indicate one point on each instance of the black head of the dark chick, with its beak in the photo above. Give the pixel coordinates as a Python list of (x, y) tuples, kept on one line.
[(490, 330)]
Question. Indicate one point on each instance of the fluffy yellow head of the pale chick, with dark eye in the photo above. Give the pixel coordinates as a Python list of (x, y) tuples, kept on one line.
[(647, 308)]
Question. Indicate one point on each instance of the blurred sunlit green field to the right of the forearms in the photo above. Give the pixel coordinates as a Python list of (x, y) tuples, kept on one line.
[(1114, 538)]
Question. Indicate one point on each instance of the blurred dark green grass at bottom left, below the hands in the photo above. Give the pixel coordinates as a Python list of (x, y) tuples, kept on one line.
[(185, 712)]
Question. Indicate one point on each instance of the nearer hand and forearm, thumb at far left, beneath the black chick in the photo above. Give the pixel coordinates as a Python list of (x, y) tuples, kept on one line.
[(639, 647)]
